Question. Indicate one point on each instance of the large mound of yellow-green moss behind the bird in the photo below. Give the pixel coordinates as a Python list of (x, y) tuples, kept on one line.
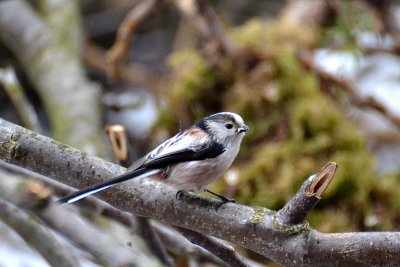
[(295, 128)]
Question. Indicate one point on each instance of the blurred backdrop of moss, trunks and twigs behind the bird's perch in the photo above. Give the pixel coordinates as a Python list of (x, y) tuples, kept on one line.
[(316, 81)]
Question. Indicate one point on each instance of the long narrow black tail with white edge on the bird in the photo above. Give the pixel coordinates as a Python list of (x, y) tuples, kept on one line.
[(104, 185)]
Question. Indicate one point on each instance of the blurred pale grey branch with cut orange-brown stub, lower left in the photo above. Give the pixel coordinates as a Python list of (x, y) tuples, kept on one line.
[(35, 197)]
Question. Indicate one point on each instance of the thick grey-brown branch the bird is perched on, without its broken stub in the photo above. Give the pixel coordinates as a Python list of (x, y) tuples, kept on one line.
[(253, 228)]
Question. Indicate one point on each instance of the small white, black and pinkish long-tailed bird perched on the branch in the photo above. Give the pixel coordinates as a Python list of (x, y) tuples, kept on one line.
[(190, 160)]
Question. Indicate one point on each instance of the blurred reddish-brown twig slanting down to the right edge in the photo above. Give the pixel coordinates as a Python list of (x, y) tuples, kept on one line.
[(355, 97)]
